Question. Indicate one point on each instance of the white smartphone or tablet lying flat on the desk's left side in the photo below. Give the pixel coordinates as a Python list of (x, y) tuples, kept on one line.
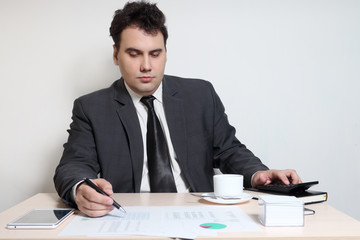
[(41, 218)]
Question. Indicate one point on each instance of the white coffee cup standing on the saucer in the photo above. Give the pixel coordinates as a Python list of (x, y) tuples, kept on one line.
[(228, 185)]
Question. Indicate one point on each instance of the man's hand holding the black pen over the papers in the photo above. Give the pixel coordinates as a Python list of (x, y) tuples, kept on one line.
[(92, 203)]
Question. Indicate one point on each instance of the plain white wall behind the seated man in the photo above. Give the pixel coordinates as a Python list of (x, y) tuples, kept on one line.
[(287, 72)]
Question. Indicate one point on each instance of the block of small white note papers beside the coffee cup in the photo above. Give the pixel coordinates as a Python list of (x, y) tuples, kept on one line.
[(275, 211)]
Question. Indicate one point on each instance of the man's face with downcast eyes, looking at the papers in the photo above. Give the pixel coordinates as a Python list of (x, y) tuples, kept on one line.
[(141, 58)]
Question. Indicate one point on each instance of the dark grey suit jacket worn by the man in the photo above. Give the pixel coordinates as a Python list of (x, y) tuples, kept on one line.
[(105, 138)]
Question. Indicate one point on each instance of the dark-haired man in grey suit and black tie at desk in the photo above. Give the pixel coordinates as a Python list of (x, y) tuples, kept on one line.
[(110, 131)]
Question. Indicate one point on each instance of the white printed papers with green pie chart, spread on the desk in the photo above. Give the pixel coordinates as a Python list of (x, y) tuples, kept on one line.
[(168, 221)]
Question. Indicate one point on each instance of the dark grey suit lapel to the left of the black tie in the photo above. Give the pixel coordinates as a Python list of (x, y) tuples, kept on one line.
[(128, 117)]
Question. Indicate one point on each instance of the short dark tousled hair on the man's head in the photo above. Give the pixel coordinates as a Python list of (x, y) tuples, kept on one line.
[(144, 15)]
